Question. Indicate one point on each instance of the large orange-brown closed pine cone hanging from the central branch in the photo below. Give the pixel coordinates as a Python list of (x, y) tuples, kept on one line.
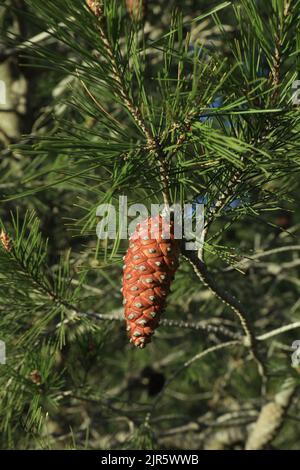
[(150, 265)]
